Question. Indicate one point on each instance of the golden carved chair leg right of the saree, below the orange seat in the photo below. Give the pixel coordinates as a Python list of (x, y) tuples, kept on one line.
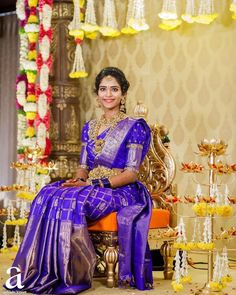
[(168, 254)]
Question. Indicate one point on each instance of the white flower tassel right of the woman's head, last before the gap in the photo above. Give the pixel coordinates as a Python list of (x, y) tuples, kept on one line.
[(137, 21)]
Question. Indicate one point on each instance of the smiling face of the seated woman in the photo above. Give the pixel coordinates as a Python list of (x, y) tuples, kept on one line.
[(109, 94)]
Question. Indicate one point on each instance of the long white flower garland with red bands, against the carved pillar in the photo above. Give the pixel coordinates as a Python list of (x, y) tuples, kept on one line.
[(44, 64)]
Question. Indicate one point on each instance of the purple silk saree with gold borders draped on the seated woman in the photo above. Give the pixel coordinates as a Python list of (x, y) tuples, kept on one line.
[(56, 255)]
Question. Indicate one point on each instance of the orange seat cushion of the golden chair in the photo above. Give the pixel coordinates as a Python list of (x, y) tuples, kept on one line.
[(160, 218)]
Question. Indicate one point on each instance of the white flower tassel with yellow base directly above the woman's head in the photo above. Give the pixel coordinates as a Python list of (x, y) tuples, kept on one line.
[(109, 26)]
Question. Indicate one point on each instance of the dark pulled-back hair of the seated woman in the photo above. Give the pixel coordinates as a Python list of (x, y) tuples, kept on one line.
[(117, 74)]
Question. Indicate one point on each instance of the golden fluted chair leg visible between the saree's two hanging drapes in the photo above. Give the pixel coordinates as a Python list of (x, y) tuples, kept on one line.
[(110, 258)]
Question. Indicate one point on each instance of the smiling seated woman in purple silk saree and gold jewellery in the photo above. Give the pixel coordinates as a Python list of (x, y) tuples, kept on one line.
[(56, 255)]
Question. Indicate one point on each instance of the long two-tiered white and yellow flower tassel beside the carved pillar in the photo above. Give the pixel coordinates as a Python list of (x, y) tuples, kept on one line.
[(75, 29)]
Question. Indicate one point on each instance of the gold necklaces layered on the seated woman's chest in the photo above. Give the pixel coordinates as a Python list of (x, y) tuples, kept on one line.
[(95, 126)]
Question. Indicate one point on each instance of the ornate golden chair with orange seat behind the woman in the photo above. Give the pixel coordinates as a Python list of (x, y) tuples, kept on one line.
[(157, 173)]
